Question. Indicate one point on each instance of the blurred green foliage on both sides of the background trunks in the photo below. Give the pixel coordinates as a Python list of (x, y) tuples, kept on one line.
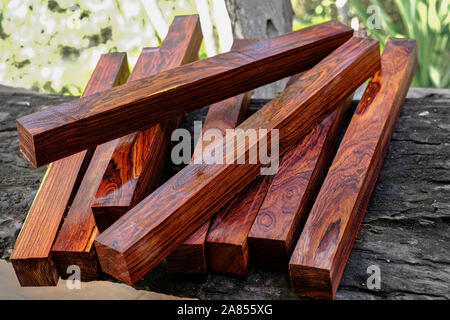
[(53, 46)]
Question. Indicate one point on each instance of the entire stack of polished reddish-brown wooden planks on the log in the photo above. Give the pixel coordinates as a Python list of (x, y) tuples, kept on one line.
[(103, 204)]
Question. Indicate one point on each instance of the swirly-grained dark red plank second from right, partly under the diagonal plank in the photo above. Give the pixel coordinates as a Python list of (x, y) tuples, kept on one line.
[(280, 219)]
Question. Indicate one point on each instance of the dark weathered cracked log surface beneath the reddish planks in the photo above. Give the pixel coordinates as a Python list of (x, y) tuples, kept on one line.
[(405, 231)]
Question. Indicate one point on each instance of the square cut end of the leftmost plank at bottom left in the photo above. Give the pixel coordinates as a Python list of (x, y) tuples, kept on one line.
[(43, 272)]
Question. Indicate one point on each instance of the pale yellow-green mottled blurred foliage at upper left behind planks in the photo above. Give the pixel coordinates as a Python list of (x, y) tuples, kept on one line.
[(53, 46)]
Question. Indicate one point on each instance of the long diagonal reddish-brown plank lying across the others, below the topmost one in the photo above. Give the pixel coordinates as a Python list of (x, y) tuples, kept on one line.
[(145, 235)]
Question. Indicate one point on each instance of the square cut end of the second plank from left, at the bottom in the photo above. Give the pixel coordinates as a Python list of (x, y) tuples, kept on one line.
[(86, 261)]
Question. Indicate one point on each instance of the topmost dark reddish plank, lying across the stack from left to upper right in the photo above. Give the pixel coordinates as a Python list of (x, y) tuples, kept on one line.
[(71, 127)]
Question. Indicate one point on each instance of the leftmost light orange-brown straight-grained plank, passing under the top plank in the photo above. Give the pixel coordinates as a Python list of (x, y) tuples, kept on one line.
[(31, 257)]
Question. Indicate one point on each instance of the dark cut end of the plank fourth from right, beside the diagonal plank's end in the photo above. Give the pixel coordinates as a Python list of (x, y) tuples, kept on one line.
[(187, 258)]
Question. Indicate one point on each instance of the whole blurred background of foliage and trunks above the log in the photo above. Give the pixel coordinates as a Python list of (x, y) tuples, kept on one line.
[(53, 46)]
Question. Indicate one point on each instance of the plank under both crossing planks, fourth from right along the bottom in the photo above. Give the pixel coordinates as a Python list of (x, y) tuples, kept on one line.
[(190, 257)]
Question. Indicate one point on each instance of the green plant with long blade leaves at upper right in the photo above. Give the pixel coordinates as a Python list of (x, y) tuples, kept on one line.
[(426, 21)]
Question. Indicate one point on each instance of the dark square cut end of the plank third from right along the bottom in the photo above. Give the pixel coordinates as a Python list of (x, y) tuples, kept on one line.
[(228, 258)]
